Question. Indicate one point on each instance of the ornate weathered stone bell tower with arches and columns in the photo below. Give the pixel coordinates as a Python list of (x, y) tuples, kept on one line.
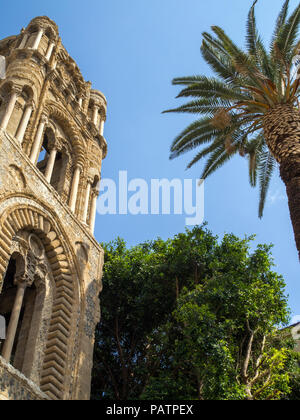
[(51, 150)]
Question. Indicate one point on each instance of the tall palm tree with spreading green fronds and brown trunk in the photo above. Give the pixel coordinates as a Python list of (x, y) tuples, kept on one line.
[(250, 108)]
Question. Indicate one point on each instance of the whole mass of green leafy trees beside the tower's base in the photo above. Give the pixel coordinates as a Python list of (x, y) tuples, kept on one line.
[(189, 318)]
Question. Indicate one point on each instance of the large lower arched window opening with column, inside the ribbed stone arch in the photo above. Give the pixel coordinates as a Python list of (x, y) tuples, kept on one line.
[(22, 303)]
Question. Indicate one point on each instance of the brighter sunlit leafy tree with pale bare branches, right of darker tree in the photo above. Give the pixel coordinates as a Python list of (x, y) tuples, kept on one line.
[(222, 342)]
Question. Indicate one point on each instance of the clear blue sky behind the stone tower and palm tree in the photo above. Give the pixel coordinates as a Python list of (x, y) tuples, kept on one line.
[(131, 50)]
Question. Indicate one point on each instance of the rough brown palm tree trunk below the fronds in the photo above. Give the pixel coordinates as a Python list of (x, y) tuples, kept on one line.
[(282, 134)]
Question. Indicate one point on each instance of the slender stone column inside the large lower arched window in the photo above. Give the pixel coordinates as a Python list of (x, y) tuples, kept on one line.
[(14, 319)]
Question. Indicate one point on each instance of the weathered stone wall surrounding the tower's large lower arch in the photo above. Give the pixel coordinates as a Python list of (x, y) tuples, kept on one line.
[(22, 186)]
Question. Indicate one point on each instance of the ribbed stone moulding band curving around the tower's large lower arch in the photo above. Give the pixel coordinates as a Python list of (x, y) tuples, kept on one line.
[(55, 363)]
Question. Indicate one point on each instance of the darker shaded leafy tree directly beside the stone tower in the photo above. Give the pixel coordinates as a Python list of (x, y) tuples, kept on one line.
[(141, 286)]
